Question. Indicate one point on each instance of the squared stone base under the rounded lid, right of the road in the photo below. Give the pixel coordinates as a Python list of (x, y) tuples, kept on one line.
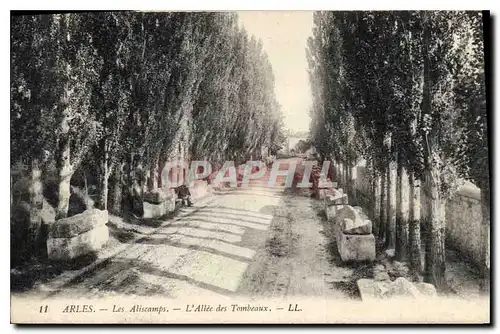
[(356, 247)]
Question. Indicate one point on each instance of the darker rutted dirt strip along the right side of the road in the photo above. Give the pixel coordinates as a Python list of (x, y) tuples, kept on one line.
[(296, 260)]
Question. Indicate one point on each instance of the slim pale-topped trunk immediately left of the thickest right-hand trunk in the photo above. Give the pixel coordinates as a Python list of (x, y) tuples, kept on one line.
[(414, 228)]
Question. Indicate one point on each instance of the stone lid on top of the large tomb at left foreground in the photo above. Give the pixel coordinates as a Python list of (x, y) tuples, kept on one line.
[(78, 224)]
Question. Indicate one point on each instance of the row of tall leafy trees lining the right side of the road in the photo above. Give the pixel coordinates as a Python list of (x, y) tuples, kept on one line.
[(406, 92)]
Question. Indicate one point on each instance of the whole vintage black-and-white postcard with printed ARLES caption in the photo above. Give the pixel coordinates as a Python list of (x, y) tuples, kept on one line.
[(323, 167)]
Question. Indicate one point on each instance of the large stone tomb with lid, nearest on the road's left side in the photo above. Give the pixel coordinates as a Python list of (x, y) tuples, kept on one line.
[(78, 235)]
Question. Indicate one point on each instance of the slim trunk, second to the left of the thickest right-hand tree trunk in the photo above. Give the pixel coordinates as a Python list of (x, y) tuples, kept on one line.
[(402, 214)]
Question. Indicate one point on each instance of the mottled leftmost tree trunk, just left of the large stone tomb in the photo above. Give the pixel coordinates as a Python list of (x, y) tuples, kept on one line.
[(34, 240)]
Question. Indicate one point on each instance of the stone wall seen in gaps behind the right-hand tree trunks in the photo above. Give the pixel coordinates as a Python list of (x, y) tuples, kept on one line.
[(463, 215)]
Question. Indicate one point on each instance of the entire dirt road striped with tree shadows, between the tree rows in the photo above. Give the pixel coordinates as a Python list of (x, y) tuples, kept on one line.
[(255, 241)]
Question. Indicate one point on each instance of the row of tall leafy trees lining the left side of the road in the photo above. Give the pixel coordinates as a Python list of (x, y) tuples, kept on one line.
[(118, 94)]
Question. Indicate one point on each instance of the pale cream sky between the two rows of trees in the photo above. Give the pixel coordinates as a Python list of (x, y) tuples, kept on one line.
[(284, 37)]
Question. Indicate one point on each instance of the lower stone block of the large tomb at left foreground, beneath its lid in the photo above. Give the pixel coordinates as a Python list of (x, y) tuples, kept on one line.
[(64, 249)]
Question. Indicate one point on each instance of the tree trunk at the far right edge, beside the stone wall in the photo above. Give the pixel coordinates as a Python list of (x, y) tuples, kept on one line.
[(485, 237)]
